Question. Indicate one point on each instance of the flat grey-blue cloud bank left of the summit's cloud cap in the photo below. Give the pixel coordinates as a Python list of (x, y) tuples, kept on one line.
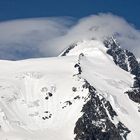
[(20, 39)]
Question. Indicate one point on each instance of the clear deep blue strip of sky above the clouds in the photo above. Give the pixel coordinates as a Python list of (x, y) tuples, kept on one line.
[(15, 9)]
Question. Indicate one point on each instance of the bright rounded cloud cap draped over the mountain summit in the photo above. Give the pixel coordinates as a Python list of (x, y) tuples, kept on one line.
[(101, 26)]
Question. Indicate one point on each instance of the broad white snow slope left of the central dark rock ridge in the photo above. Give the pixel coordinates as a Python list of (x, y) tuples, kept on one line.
[(37, 95)]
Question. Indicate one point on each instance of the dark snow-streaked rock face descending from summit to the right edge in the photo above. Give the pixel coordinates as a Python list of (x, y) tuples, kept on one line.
[(127, 61)]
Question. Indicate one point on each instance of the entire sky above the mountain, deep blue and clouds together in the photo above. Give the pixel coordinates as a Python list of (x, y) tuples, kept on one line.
[(43, 28)]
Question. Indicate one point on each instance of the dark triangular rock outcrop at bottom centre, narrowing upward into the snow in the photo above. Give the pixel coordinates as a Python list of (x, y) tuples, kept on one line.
[(96, 123)]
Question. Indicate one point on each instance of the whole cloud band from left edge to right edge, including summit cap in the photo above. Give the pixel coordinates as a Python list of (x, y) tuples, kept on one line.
[(45, 37)]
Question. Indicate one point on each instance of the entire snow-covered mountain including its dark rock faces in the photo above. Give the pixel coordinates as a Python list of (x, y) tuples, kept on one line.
[(90, 92)]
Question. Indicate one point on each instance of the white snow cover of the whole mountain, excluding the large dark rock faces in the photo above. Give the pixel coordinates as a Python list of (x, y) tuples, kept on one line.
[(42, 99)]
